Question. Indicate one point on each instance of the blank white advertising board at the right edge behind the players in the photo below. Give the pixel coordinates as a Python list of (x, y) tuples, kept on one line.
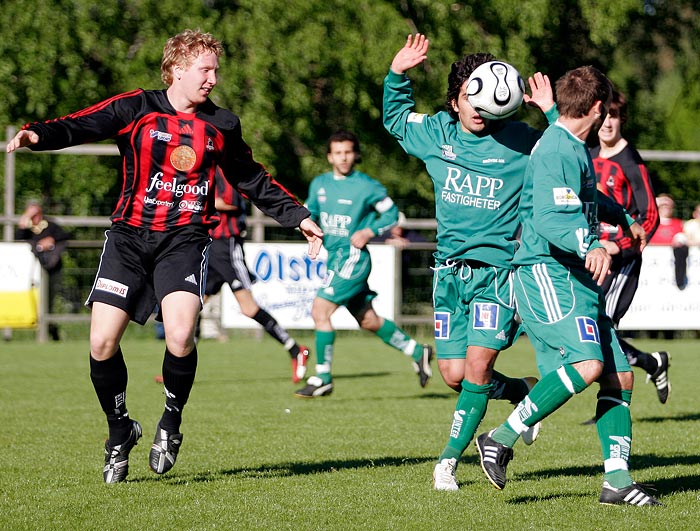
[(658, 303)]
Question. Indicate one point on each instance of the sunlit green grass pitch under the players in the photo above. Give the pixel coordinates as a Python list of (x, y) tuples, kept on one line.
[(360, 459)]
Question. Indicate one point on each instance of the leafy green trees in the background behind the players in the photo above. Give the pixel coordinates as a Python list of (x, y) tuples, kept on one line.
[(297, 70)]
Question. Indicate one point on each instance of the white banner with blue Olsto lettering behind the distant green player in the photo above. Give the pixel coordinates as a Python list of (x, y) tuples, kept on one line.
[(287, 282)]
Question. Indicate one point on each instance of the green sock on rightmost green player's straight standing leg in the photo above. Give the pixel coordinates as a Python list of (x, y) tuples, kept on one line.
[(614, 425)]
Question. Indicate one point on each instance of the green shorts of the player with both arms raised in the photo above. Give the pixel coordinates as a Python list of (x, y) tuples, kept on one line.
[(473, 306)]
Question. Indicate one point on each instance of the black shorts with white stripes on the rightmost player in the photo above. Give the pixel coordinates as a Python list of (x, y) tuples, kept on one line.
[(621, 285)]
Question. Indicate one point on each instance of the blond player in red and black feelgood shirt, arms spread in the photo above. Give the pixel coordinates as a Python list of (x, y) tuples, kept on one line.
[(171, 142)]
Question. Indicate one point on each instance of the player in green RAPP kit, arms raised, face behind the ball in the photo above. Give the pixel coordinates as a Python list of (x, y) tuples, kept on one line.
[(477, 168)]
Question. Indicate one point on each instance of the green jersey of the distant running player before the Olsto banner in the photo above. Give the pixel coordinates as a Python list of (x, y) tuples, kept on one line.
[(342, 205)]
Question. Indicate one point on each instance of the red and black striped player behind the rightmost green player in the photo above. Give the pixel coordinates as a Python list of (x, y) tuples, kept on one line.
[(622, 176)]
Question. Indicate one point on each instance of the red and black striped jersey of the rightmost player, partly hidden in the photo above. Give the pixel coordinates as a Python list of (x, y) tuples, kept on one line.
[(625, 179)]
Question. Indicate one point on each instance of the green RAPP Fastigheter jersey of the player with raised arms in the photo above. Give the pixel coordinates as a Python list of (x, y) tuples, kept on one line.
[(477, 179)]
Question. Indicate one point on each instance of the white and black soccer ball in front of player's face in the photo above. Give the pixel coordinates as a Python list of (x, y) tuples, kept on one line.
[(495, 90)]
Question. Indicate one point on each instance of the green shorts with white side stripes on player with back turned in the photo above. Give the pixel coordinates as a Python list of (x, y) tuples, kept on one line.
[(563, 313)]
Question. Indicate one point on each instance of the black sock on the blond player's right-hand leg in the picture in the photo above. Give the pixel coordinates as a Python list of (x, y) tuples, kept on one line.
[(178, 378)]
